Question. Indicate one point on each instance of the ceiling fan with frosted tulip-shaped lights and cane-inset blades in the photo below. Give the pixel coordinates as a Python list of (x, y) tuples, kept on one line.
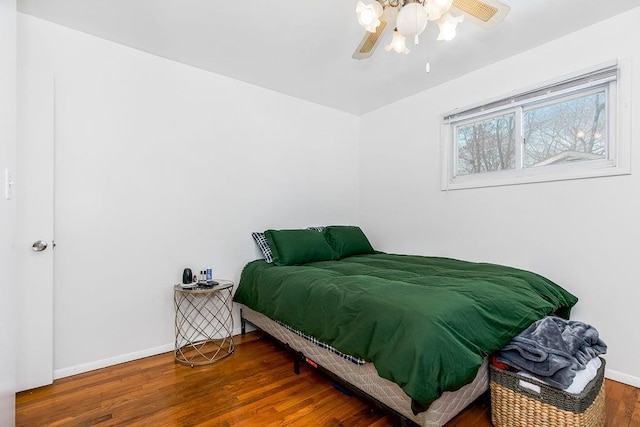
[(411, 17)]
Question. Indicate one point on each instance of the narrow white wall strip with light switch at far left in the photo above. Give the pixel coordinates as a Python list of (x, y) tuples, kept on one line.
[(7, 210)]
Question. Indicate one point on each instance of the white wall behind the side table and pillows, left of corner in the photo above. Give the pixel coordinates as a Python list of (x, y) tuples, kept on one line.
[(160, 166)]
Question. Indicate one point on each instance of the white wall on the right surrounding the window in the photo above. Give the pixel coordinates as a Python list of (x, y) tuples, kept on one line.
[(583, 234)]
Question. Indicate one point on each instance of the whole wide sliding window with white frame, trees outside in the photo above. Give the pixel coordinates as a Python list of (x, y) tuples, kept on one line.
[(571, 128)]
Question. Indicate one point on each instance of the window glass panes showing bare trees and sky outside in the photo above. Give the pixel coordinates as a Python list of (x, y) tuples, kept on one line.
[(567, 130)]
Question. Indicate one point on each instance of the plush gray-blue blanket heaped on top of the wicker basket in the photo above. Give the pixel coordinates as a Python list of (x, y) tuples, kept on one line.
[(553, 349)]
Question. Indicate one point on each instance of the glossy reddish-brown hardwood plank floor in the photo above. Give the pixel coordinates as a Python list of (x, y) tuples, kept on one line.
[(254, 387)]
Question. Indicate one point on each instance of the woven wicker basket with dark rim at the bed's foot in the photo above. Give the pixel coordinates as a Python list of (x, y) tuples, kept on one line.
[(513, 405)]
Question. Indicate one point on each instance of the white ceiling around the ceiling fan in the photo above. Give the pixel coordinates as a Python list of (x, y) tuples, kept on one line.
[(303, 48)]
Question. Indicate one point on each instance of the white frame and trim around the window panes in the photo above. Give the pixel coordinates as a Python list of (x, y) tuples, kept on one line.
[(618, 122)]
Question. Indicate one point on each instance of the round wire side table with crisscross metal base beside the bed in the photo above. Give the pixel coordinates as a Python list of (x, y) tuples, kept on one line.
[(203, 323)]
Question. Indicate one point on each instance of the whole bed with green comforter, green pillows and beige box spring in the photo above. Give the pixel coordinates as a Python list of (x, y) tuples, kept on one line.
[(424, 325)]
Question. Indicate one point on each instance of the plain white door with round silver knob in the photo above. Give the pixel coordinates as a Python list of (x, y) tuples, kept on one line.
[(34, 195)]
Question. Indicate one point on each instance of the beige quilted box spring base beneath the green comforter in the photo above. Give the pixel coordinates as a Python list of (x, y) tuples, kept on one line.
[(364, 381)]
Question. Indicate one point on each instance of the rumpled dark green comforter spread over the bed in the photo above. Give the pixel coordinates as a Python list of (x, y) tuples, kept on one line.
[(426, 323)]
